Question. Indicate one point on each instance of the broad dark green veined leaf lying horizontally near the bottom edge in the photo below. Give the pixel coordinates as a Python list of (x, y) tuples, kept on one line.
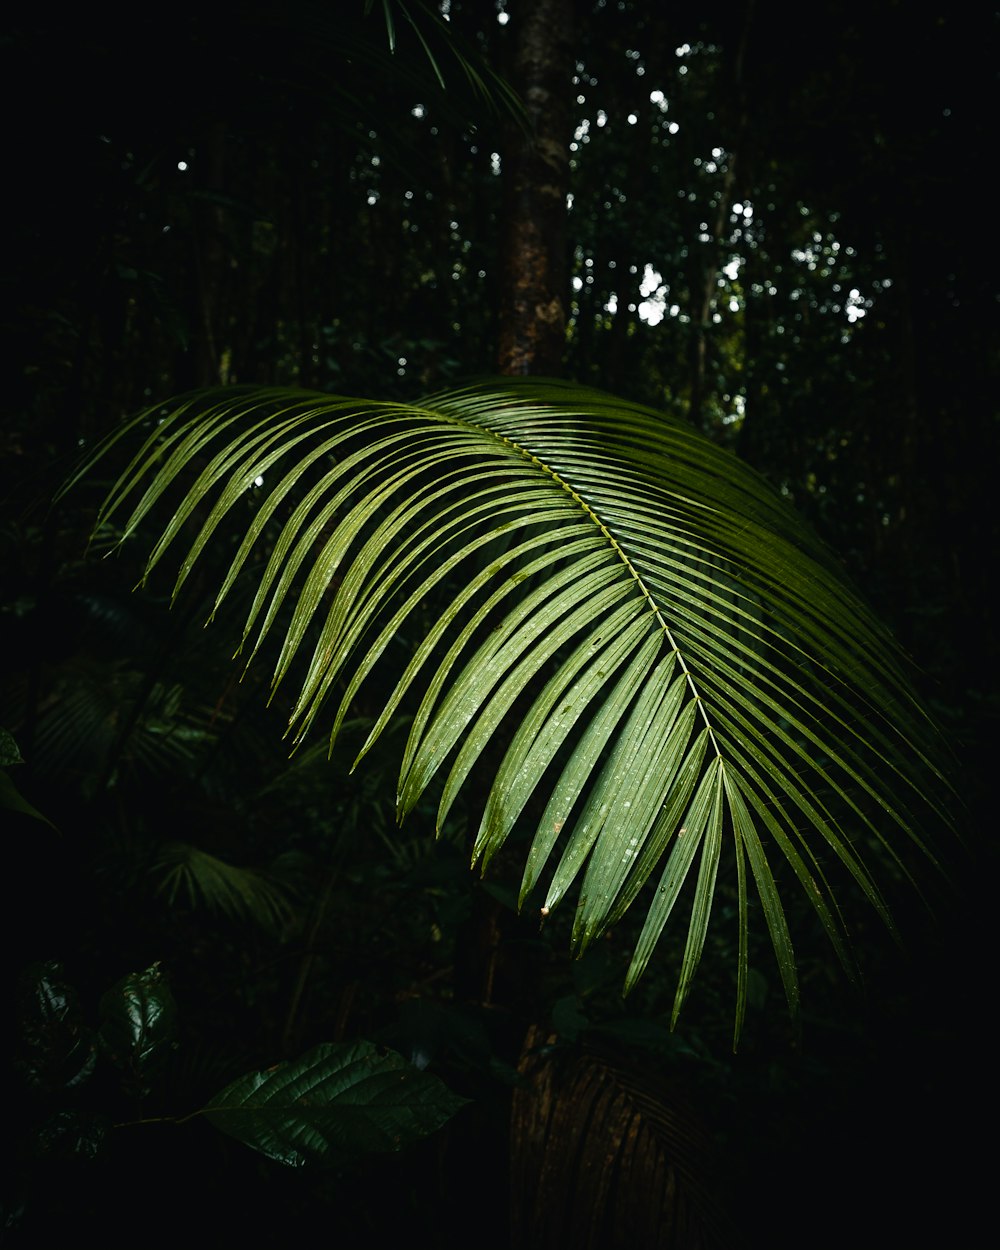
[(338, 1099)]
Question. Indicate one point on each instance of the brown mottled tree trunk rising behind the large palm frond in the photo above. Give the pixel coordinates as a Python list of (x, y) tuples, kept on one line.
[(533, 307)]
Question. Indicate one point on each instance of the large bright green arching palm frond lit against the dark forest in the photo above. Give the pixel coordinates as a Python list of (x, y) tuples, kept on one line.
[(672, 663)]
